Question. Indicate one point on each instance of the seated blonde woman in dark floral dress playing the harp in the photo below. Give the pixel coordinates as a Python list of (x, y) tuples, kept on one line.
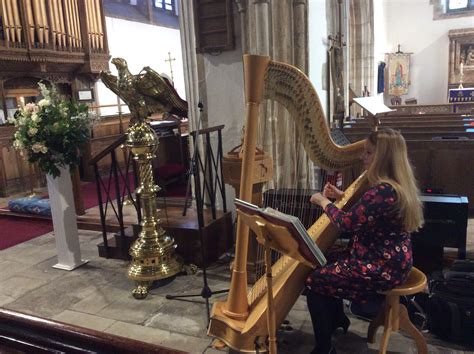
[(378, 256)]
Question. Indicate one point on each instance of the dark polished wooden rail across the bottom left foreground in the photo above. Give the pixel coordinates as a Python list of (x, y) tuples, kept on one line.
[(22, 333)]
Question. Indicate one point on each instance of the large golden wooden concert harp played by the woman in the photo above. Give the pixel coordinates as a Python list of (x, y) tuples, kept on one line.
[(241, 321)]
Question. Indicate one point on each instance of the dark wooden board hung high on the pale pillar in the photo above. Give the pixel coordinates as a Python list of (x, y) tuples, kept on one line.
[(214, 26)]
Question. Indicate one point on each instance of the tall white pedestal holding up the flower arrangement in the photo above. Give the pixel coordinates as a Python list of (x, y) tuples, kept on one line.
[(63, 213)]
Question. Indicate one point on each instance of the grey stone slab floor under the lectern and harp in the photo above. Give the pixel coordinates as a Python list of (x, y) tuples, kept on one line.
[(98, 296)]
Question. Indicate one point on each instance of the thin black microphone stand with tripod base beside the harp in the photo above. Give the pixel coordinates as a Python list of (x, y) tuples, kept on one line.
[(206, 291)]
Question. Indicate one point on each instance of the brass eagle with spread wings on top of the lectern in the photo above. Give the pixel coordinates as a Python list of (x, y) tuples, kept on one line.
[(145, 93)]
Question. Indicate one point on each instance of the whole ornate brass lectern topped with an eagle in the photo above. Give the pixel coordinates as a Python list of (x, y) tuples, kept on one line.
[(153, 253)]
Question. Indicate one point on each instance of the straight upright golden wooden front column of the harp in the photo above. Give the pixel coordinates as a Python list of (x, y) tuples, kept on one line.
[(254, 73)]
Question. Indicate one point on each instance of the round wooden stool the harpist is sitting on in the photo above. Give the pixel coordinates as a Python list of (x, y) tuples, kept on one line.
[(394, 316)]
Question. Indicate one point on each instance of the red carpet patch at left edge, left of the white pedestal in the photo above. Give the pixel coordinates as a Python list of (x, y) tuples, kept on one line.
[(17, 230)]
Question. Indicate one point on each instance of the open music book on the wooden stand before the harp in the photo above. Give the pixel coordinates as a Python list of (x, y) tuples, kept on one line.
[(308, 248)]
